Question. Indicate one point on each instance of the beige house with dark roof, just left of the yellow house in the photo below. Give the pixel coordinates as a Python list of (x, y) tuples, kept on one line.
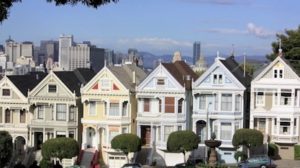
[(56, 106)]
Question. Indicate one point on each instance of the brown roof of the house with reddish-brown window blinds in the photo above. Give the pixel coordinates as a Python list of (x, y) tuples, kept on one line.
[(179, 70)]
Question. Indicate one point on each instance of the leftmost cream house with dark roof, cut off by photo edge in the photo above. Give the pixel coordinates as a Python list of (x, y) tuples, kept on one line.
[(15, 114)]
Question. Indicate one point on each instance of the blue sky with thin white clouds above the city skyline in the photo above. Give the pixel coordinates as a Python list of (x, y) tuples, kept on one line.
[(158, 26)]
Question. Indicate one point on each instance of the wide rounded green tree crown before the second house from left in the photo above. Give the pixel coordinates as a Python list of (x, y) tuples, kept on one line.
[(60, 148)]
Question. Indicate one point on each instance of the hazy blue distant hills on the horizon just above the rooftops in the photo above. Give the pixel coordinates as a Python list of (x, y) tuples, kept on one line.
[(151, 59)]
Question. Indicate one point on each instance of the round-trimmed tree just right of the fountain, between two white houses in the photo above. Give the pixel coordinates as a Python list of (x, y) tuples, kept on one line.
[(247, 138)]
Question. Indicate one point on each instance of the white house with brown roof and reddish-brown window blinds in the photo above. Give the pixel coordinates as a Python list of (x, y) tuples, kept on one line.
[(164, 103)]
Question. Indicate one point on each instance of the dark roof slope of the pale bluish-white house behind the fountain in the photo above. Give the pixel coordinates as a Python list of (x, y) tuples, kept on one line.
[(236, 70)]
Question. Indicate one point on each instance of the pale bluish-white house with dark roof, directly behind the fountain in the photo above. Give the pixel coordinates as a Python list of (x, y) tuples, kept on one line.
[(220, 104)]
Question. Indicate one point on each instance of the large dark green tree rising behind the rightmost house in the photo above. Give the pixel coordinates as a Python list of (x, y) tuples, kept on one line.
[(290, 44)]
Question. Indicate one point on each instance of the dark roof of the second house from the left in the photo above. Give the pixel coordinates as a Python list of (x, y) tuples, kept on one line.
[(75, 79)]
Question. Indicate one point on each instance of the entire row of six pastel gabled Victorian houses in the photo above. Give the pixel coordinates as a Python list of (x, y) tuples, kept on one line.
[(93, 108)]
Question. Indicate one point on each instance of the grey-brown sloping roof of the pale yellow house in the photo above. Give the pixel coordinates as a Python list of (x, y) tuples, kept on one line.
[(124, 73)]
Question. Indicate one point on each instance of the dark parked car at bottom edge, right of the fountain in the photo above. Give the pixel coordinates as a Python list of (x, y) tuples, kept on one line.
[(260, 161)]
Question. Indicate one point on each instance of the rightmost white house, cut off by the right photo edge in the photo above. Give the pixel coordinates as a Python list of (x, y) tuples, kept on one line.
[(275, 105)]
